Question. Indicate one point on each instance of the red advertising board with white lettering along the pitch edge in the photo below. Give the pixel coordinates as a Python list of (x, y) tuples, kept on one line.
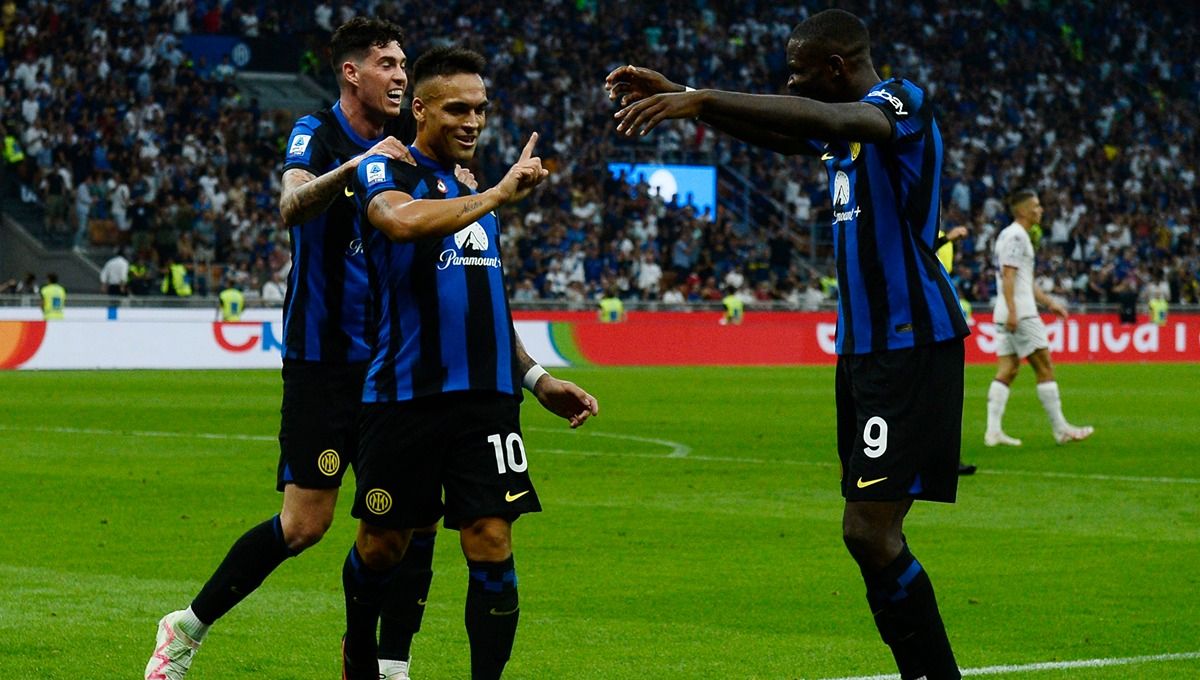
[(766, 339)]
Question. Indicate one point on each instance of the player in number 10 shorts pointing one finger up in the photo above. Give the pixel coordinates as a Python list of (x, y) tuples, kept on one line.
[(441, 434)]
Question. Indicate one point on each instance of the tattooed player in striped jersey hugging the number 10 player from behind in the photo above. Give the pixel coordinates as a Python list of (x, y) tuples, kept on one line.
[(325, 353)]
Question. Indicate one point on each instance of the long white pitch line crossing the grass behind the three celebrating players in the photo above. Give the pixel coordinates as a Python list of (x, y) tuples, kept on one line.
[(679, 452)]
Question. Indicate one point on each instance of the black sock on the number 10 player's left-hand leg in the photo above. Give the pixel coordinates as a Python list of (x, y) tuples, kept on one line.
[(364, 591)]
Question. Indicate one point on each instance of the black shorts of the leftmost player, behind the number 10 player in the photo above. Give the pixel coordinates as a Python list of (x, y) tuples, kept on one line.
[(319, 429)]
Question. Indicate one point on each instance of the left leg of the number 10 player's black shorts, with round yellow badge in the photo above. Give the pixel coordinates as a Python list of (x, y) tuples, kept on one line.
[(399, 470)]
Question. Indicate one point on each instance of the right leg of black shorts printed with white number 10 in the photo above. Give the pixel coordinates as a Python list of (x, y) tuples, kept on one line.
[(488, 470)]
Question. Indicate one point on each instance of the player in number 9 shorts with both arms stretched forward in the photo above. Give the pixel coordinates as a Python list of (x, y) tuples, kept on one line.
[(899, 380)]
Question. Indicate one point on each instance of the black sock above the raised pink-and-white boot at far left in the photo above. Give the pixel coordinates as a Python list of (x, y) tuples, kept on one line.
[(248, 564)]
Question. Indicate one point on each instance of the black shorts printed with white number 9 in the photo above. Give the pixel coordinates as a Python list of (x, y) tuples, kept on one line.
[(901, 423)]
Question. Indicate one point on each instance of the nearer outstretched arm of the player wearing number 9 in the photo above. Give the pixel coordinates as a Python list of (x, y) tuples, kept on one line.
[(747, 116)]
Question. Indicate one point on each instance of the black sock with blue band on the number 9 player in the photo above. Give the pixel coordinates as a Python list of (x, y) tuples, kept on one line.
[(905, 610)]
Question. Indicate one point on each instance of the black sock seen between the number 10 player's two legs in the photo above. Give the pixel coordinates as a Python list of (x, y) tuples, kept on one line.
[(404, 604)]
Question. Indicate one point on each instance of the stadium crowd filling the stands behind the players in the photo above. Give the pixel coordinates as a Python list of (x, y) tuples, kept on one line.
[(122, 137)]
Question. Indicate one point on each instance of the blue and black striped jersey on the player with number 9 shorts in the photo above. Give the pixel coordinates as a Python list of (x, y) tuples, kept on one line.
[(893, 293)]
